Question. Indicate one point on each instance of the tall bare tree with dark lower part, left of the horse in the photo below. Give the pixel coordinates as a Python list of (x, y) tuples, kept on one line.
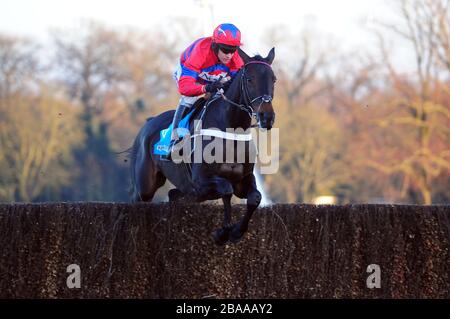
[(89, 66)]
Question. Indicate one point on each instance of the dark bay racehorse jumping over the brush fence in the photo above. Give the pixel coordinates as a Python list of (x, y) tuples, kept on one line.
[(249, 94)]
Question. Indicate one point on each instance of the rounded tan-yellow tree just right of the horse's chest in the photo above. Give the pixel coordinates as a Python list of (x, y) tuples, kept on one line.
[(311, 146)]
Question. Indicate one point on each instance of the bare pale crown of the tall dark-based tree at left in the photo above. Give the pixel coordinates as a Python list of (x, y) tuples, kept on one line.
[(88, 63)]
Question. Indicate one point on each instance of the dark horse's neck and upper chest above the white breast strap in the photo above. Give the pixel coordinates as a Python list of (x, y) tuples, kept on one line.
[(225, 115)]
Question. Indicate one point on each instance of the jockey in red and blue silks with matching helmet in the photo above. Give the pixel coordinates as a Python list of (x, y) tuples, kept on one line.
[(204, 68)]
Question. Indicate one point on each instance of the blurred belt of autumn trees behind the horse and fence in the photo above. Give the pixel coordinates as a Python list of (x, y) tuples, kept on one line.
[(352, 124)]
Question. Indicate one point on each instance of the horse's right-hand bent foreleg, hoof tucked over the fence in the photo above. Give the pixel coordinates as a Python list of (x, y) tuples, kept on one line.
[(246, 189)]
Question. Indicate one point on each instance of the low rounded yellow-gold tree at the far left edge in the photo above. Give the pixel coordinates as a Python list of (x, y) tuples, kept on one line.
[(37, 142)]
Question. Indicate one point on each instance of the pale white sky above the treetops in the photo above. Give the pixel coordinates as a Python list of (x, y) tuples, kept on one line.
[(341, 18)]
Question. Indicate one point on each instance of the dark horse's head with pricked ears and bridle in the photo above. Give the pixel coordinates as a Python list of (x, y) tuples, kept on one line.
[(258, 82)]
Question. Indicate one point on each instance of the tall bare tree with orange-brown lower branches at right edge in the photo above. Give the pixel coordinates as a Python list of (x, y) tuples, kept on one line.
[(418, 110)]
